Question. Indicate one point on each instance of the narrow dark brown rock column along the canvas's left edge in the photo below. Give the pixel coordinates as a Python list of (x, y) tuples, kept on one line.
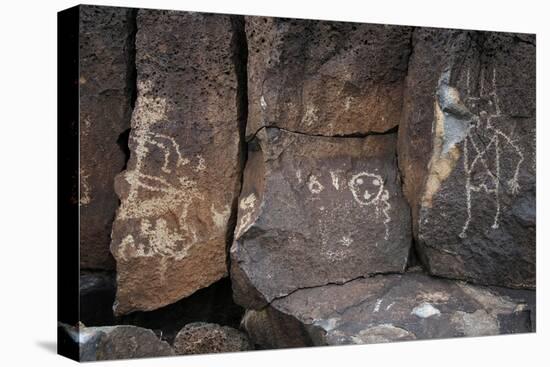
[(106, 73)]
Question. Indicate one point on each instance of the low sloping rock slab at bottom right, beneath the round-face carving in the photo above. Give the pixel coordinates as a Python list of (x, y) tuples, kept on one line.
[(389, 308)]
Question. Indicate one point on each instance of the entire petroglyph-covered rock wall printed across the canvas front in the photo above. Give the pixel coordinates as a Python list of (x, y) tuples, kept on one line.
[(357, 183)]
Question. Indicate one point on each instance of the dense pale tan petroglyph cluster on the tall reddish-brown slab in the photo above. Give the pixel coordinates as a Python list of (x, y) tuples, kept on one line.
[(154, 194)]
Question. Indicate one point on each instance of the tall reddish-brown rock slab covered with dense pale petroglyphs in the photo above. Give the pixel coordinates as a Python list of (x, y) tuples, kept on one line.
[(169, 236)]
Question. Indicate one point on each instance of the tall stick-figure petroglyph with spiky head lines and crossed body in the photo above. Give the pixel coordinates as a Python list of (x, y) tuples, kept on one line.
[(483, 159)]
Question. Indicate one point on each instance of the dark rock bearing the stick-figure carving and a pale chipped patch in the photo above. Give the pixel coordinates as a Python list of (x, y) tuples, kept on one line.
[(467, 154)]
